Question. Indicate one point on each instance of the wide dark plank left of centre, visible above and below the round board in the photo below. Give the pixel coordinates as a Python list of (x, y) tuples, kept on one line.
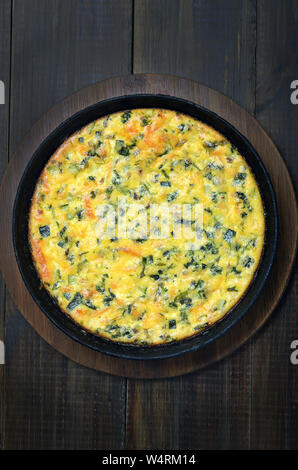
[(57, 48)]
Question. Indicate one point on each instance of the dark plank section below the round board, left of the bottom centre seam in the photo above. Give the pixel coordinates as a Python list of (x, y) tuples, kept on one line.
[(52, 402)]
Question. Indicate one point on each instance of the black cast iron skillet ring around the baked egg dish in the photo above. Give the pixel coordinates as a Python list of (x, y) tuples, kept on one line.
[(22, 205)]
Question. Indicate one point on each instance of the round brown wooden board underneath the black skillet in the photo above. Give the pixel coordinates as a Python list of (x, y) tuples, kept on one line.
[(287, 209)]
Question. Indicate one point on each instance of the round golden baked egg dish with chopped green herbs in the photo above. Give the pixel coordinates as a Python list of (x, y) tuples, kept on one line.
[(146, 226)]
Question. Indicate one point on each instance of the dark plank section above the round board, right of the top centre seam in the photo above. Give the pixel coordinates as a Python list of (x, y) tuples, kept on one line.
[(211, 42)]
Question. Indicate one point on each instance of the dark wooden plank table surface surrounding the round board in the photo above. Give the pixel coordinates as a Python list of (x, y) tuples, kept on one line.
[(245, 49)]
